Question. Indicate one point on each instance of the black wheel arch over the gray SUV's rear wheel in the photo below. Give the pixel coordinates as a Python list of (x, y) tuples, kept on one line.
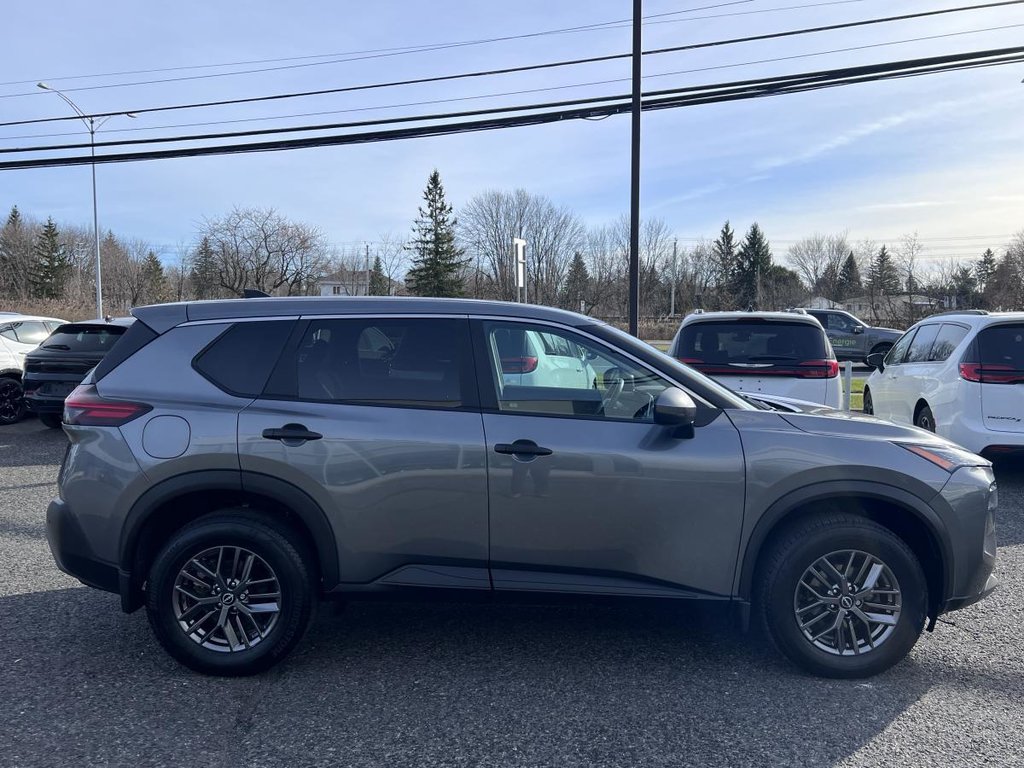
[(170, 505)]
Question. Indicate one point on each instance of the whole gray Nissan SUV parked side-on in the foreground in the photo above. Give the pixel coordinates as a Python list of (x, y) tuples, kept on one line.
[(233, 462)]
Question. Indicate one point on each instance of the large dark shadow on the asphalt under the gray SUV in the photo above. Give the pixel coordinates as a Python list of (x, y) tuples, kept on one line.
[(430, 684)]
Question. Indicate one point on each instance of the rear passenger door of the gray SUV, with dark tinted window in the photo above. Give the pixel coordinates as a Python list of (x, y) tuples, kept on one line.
[(377, 420)]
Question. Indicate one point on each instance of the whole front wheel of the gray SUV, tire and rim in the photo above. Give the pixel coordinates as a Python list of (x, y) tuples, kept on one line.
[(842, 596)]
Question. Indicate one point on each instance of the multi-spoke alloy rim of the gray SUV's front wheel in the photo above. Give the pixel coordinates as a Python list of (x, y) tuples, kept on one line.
[(847, 603)]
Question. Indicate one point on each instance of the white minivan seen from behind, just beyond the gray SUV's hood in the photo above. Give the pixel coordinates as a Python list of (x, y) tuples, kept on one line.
[(762, 354)]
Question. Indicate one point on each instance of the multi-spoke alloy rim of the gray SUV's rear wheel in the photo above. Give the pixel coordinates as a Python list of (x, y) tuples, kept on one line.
[(227, 600)]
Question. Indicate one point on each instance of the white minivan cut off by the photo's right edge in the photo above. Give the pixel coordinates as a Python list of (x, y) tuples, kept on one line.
[(958, 374)]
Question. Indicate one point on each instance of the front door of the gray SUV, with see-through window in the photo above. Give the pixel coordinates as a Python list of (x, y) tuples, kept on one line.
[(588, 495)]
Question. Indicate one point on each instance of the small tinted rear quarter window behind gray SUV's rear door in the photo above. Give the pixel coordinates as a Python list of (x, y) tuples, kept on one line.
[(241, 360)]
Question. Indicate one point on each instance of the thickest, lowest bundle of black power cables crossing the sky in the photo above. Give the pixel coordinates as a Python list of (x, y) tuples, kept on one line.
[(657, 101)]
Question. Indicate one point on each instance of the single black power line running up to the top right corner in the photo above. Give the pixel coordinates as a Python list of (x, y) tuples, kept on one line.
[(527, 68)]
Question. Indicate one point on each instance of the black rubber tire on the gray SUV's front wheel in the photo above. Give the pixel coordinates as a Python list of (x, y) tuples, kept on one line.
[(783, 578)]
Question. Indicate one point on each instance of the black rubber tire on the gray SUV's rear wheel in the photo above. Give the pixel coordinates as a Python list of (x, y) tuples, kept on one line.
[(277, 551)]
